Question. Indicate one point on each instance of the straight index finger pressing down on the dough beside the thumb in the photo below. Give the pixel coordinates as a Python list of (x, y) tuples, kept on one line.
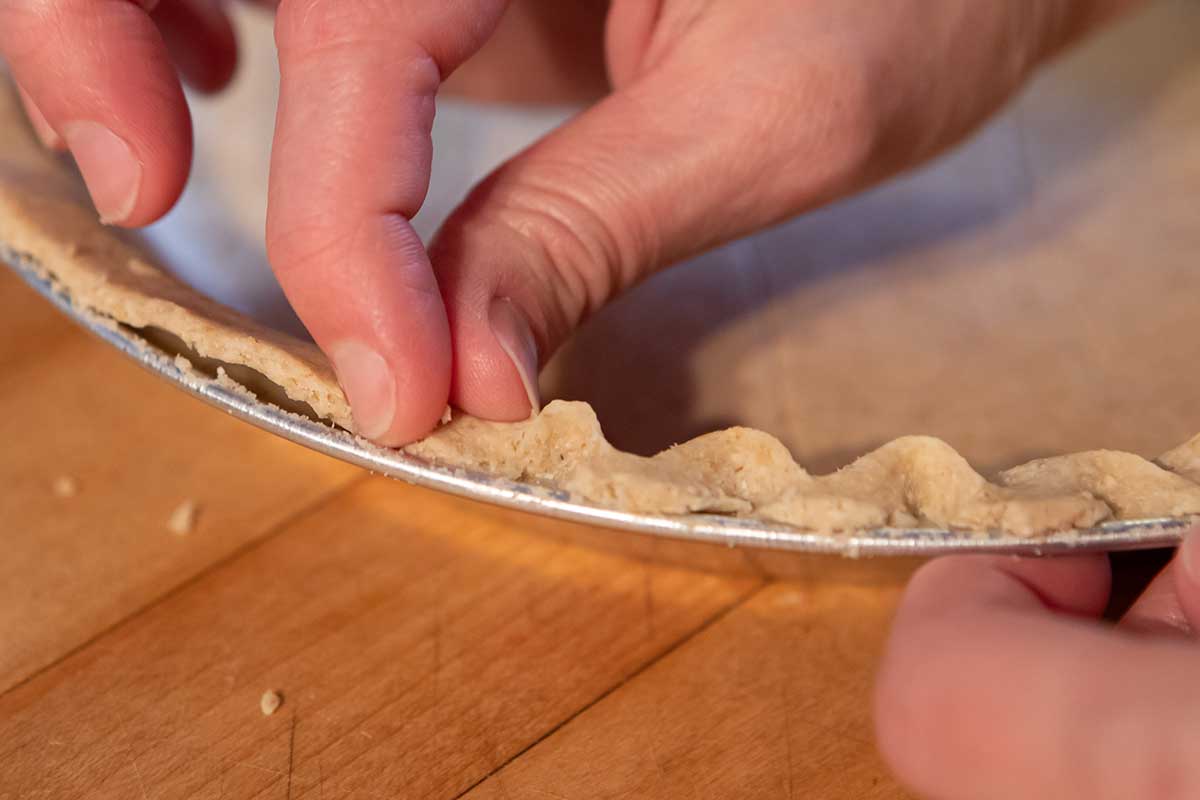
[(350, 170)]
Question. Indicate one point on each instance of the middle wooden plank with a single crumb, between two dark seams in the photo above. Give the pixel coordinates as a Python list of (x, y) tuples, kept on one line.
[(419, 642)]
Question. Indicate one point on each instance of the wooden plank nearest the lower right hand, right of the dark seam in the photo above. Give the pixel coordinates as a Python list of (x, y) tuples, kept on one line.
[(770, 702)]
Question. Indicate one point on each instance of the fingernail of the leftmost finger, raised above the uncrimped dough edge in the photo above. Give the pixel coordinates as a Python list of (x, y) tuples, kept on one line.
[(112, 173)]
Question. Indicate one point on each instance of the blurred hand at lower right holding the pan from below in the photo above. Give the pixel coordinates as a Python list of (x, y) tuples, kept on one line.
[(1000, 682)]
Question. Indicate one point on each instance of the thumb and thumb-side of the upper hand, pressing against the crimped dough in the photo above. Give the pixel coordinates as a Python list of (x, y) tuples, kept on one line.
[(728, 118)]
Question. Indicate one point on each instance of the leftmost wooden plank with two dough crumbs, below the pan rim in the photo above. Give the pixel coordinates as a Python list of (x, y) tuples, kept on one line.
[(136, 449)]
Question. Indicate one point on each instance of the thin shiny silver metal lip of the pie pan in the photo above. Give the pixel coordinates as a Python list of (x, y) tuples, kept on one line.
[(713, 530)]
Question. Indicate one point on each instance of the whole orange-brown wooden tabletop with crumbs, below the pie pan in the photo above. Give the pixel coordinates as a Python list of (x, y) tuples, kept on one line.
[(425, 647)]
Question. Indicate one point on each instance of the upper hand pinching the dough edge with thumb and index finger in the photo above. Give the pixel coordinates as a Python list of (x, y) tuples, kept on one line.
[(725, 117)]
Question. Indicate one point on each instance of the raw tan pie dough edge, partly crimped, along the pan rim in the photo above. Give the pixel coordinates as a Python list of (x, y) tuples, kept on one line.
[(909, 483)]
